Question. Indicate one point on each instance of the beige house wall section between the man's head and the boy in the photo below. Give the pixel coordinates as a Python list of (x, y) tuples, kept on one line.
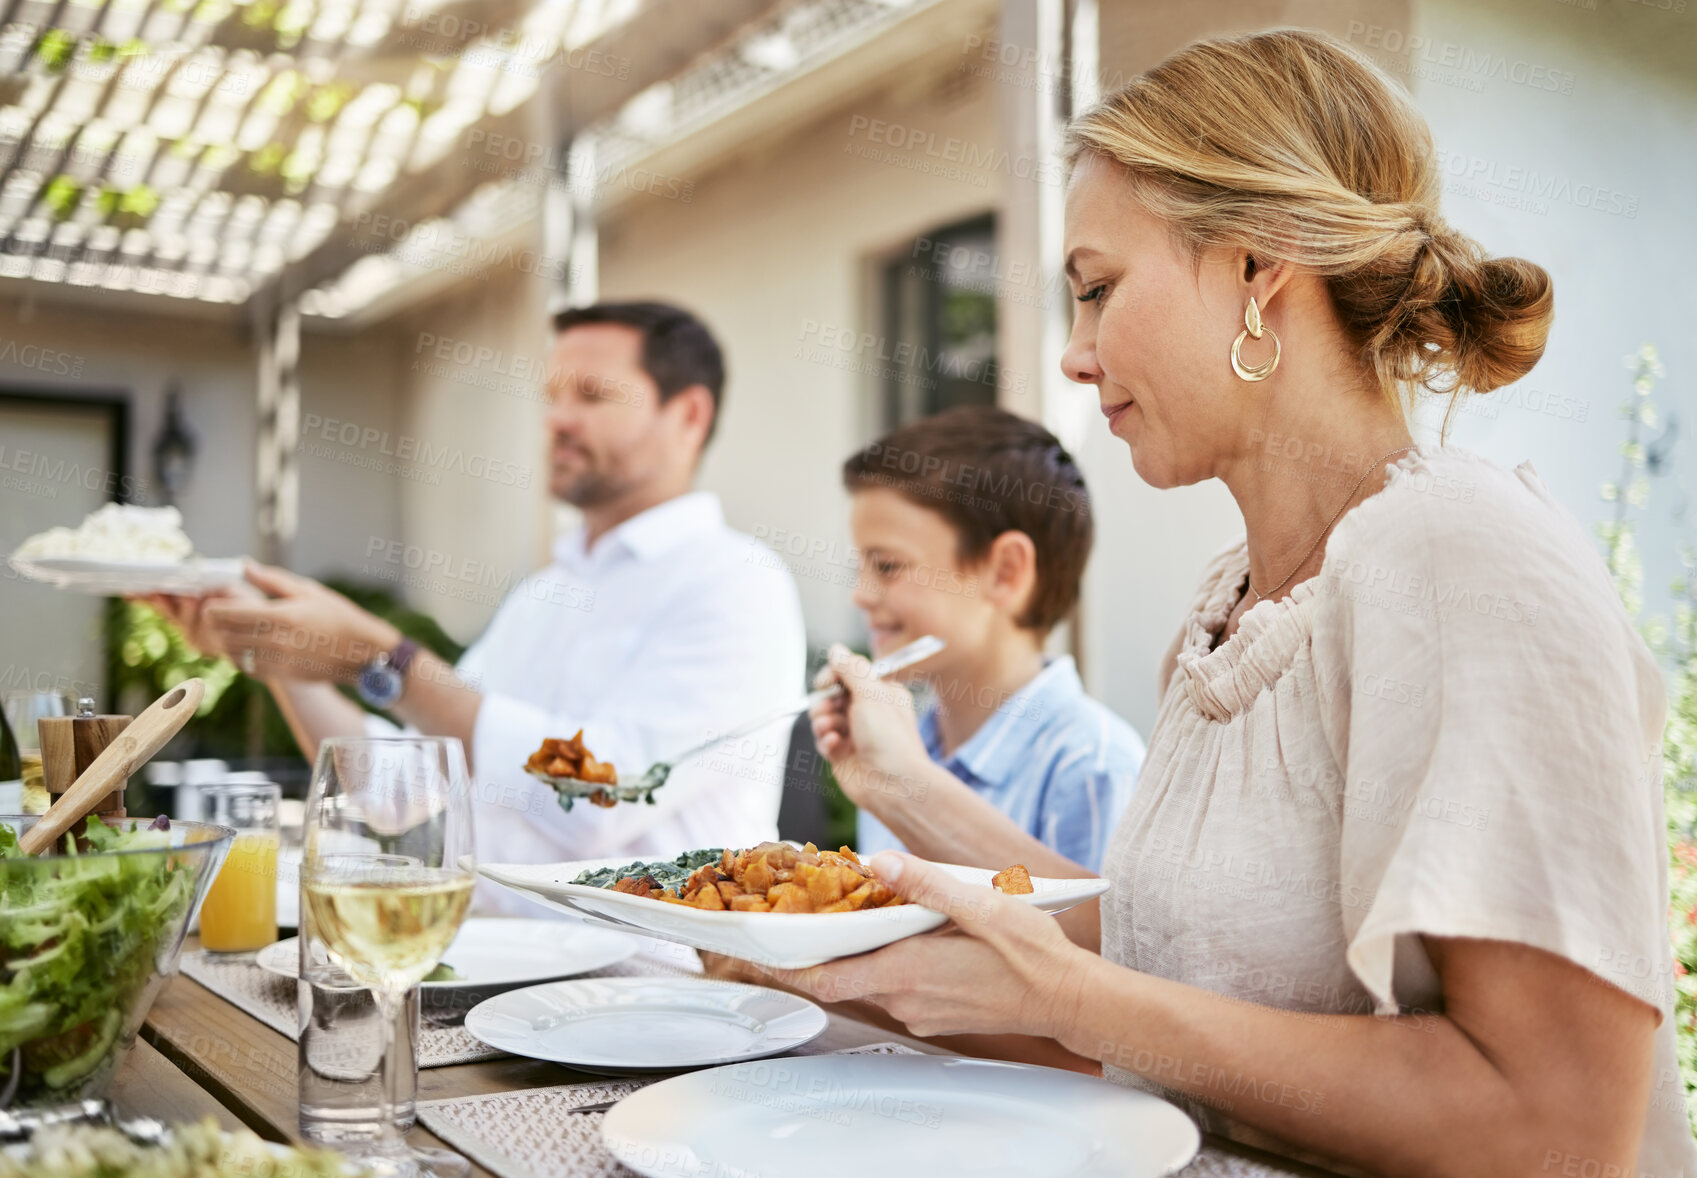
[(778, 252)]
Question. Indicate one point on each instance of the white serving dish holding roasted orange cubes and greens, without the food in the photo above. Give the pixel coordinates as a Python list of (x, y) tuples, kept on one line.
[(787, 941)]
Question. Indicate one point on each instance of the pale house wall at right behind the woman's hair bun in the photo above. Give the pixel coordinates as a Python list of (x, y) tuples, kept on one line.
[(1565, 137)]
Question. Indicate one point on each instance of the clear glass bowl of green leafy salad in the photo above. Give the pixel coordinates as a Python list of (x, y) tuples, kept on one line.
[(87, 941)]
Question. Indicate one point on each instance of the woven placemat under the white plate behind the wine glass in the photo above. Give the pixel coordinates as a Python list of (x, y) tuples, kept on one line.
[(272, 999)]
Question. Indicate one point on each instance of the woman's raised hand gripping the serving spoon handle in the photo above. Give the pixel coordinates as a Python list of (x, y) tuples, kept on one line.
[(870, 734)]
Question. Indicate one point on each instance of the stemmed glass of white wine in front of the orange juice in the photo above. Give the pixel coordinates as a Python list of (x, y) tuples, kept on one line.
[(386, 880)]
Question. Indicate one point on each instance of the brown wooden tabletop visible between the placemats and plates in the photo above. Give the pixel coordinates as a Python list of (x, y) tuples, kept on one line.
[(199, 1057)]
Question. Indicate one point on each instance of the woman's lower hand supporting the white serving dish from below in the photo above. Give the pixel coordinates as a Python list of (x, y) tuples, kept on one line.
[(1000, 968)]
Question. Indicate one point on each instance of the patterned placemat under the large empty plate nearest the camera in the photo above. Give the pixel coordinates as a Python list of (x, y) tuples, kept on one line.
[(540, 1138)]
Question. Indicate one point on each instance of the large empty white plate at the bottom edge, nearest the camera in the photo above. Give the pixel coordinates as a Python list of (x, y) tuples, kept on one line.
[(871, 1116)]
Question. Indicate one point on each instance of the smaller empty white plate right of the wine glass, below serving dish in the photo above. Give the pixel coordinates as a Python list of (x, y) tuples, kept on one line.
[(646, 1024)]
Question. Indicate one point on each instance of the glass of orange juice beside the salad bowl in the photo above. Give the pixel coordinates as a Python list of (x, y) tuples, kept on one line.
[(240, 911)]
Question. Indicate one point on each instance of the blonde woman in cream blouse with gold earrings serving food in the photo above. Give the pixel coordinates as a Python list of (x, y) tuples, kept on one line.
[(1392, 887)]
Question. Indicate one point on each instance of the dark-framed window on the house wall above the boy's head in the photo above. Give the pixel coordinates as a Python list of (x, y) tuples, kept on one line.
[(941, 323)]
